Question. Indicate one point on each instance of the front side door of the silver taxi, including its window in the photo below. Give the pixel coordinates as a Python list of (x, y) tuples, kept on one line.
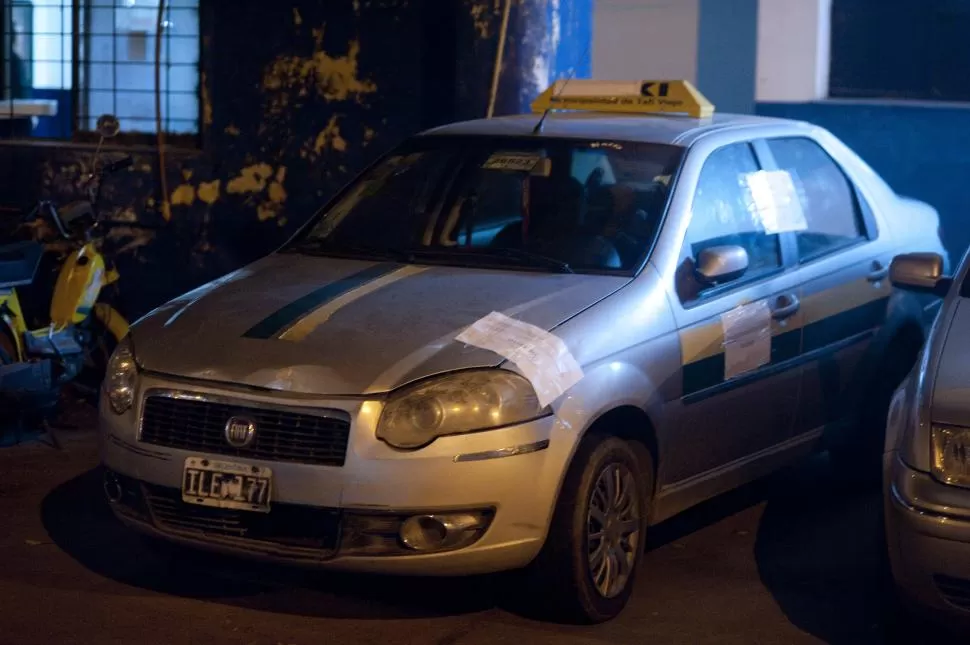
[(738, 339)]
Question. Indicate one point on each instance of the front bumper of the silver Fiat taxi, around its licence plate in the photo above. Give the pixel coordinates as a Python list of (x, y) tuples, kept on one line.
[(348, 517)]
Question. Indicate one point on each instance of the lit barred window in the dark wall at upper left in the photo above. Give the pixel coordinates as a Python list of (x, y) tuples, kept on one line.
[(66, 62)]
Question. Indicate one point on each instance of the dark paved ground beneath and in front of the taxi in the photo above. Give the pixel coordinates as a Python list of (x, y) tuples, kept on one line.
[(788, 560)]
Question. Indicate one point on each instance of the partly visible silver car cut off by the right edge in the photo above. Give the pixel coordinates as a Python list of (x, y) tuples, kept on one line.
[(927, 459)]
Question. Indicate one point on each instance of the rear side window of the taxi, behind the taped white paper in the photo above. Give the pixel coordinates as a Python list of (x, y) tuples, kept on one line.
[(832, 215)]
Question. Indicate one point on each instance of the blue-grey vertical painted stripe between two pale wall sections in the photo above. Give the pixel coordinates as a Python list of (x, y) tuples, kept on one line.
[(727, 53)]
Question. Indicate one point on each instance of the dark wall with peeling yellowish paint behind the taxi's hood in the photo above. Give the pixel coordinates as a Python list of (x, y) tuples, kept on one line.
[(298, 96)]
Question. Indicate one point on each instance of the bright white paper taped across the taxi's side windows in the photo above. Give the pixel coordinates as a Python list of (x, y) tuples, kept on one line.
[(773, 201)]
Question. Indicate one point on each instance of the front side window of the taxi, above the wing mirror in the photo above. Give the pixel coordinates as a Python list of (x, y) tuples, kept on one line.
[(722, 213)]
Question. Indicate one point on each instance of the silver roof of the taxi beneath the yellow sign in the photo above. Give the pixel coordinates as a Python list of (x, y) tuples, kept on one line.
[(654, 128)]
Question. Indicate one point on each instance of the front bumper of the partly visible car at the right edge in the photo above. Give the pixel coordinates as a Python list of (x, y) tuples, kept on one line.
[(929, 539)]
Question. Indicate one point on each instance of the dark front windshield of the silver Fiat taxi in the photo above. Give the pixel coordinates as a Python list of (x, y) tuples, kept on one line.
[(561, 205)]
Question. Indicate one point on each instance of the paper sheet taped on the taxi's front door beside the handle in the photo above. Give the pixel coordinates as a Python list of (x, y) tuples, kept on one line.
[(747, 338)]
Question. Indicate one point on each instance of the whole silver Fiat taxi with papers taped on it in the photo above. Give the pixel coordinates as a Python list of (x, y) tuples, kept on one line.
[(516, 345)]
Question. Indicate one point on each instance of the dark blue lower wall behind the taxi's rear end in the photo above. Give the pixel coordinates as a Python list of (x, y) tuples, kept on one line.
[(922, 150)]
